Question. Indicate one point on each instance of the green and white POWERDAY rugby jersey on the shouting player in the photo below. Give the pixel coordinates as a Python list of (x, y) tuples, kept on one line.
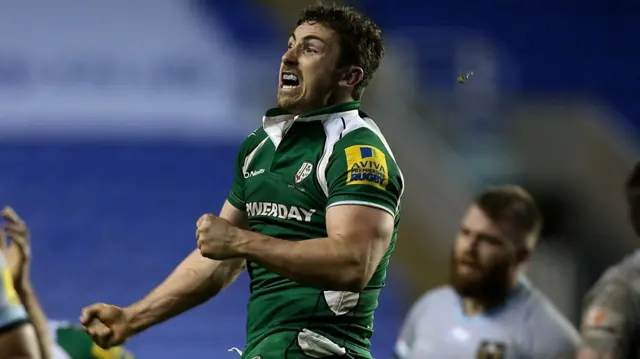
[(288, 173)]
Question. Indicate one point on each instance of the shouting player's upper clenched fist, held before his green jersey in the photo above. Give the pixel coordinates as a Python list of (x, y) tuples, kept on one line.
[(217, 238)]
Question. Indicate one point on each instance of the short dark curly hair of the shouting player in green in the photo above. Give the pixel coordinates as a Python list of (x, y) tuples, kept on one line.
[(361, 42)]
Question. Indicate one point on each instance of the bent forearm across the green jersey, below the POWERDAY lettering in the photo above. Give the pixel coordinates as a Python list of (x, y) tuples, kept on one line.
[(323, 263)]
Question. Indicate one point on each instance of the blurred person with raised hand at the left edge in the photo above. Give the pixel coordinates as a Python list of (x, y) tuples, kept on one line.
[(23, 332)]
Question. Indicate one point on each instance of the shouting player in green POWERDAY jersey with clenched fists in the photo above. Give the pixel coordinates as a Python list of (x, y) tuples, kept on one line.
[(313, 212)]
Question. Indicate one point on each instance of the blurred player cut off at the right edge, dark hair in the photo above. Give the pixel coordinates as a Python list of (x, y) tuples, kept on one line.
[(611, 320)]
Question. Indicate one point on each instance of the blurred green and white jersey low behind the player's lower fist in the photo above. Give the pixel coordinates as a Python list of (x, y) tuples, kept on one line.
[(72, 342)]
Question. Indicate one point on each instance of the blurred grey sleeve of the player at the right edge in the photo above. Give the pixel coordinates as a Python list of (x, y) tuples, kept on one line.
[(608, 321)]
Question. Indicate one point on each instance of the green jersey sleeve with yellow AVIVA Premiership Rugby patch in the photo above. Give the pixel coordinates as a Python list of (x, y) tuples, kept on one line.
[(362, 171)]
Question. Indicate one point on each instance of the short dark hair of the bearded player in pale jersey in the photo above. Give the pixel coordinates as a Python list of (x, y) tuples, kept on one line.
[(514, 206)]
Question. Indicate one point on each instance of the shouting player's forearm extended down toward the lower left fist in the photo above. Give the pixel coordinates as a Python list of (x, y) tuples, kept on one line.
[(193, 282)]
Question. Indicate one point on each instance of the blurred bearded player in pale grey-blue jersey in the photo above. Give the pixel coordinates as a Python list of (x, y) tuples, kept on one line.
[(489, 311)]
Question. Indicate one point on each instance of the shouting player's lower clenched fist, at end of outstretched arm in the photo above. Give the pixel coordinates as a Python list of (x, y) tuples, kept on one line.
[(107, 325)]
